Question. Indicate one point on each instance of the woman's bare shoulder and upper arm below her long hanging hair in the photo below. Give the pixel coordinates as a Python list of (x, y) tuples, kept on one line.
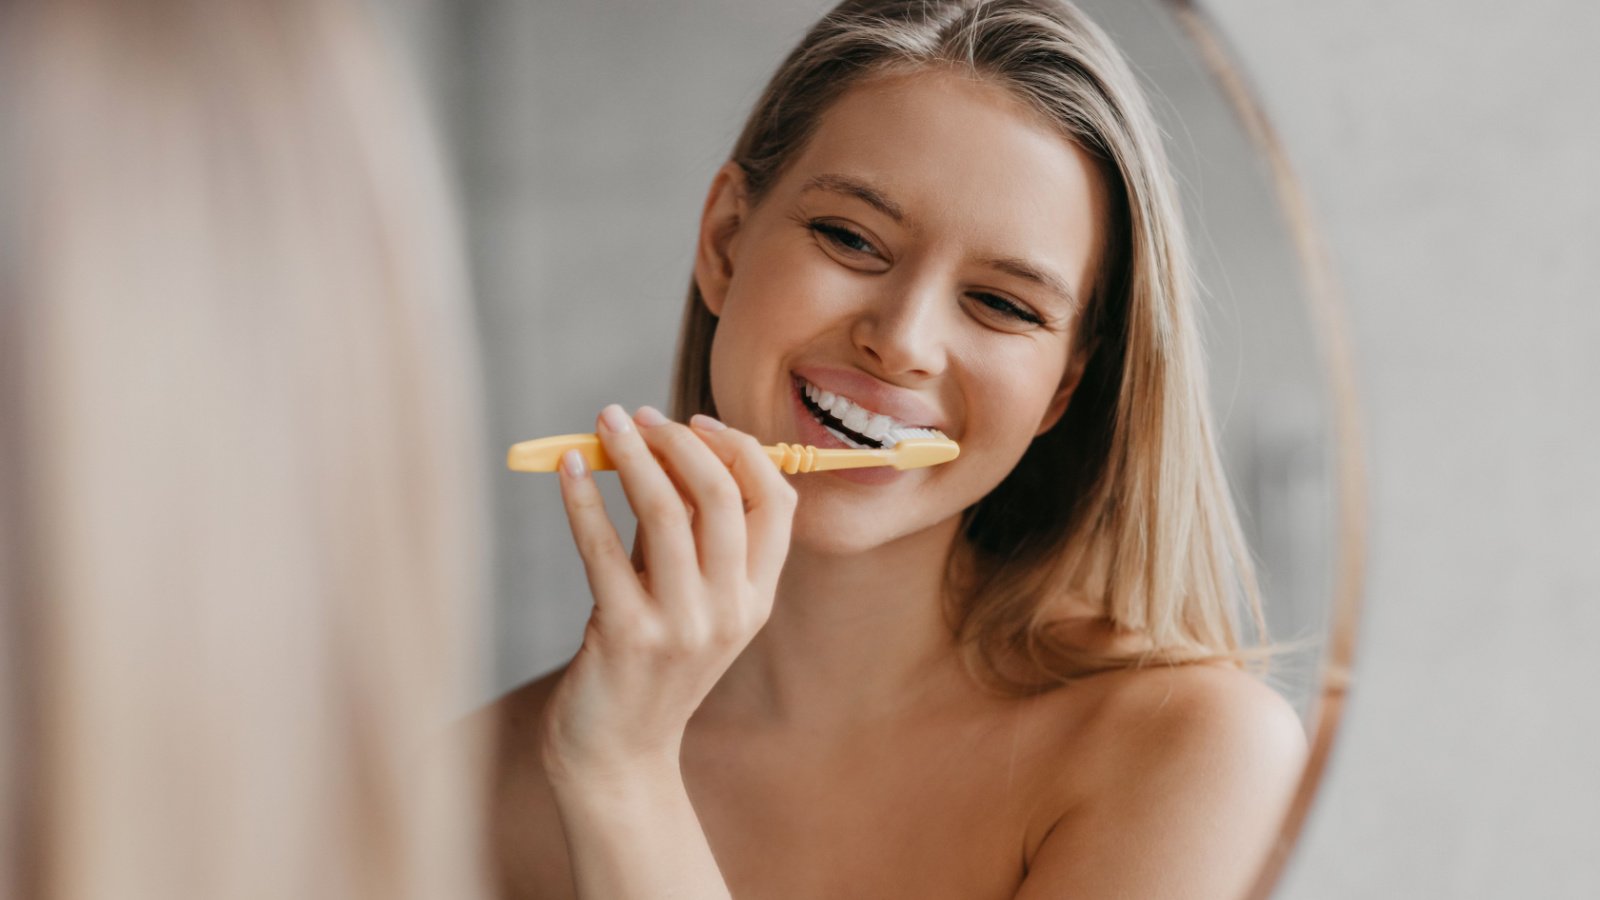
[(1174, 785)]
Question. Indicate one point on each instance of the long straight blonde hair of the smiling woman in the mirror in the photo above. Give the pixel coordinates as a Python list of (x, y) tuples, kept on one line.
[(1124, 502)]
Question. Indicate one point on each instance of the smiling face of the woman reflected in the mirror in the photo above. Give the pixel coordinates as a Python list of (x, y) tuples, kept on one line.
[(927, 259)]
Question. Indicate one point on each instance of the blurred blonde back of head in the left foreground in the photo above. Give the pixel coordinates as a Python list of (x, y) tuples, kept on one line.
[(239, 524)]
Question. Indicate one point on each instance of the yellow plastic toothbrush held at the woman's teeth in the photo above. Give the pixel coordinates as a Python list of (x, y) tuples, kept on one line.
[(545, 454)]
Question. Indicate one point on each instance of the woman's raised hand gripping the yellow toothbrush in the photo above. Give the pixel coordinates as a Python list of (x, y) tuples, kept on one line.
[(714, 516)]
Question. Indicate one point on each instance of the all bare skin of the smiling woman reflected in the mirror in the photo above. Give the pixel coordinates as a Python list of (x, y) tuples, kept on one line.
[(782, 712)]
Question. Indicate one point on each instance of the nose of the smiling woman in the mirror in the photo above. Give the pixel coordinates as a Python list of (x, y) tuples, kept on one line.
[(903, 329)]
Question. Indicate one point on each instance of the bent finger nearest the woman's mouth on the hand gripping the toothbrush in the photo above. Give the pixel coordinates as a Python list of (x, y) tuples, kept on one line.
[(769, 497)]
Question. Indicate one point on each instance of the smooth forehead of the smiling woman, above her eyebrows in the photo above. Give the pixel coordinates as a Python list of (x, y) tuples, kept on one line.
[(967, 163)]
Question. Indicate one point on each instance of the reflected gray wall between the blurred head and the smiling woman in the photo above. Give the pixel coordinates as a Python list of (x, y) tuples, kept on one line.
[(588, 137)]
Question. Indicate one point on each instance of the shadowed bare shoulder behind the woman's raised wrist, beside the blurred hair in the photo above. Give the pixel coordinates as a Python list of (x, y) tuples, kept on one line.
[(529, 851)]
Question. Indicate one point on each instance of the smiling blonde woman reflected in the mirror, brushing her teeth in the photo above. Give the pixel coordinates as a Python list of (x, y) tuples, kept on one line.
[(1015, 675)]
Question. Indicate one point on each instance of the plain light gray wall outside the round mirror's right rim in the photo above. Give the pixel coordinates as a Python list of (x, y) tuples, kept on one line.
[(1450, 150)]
